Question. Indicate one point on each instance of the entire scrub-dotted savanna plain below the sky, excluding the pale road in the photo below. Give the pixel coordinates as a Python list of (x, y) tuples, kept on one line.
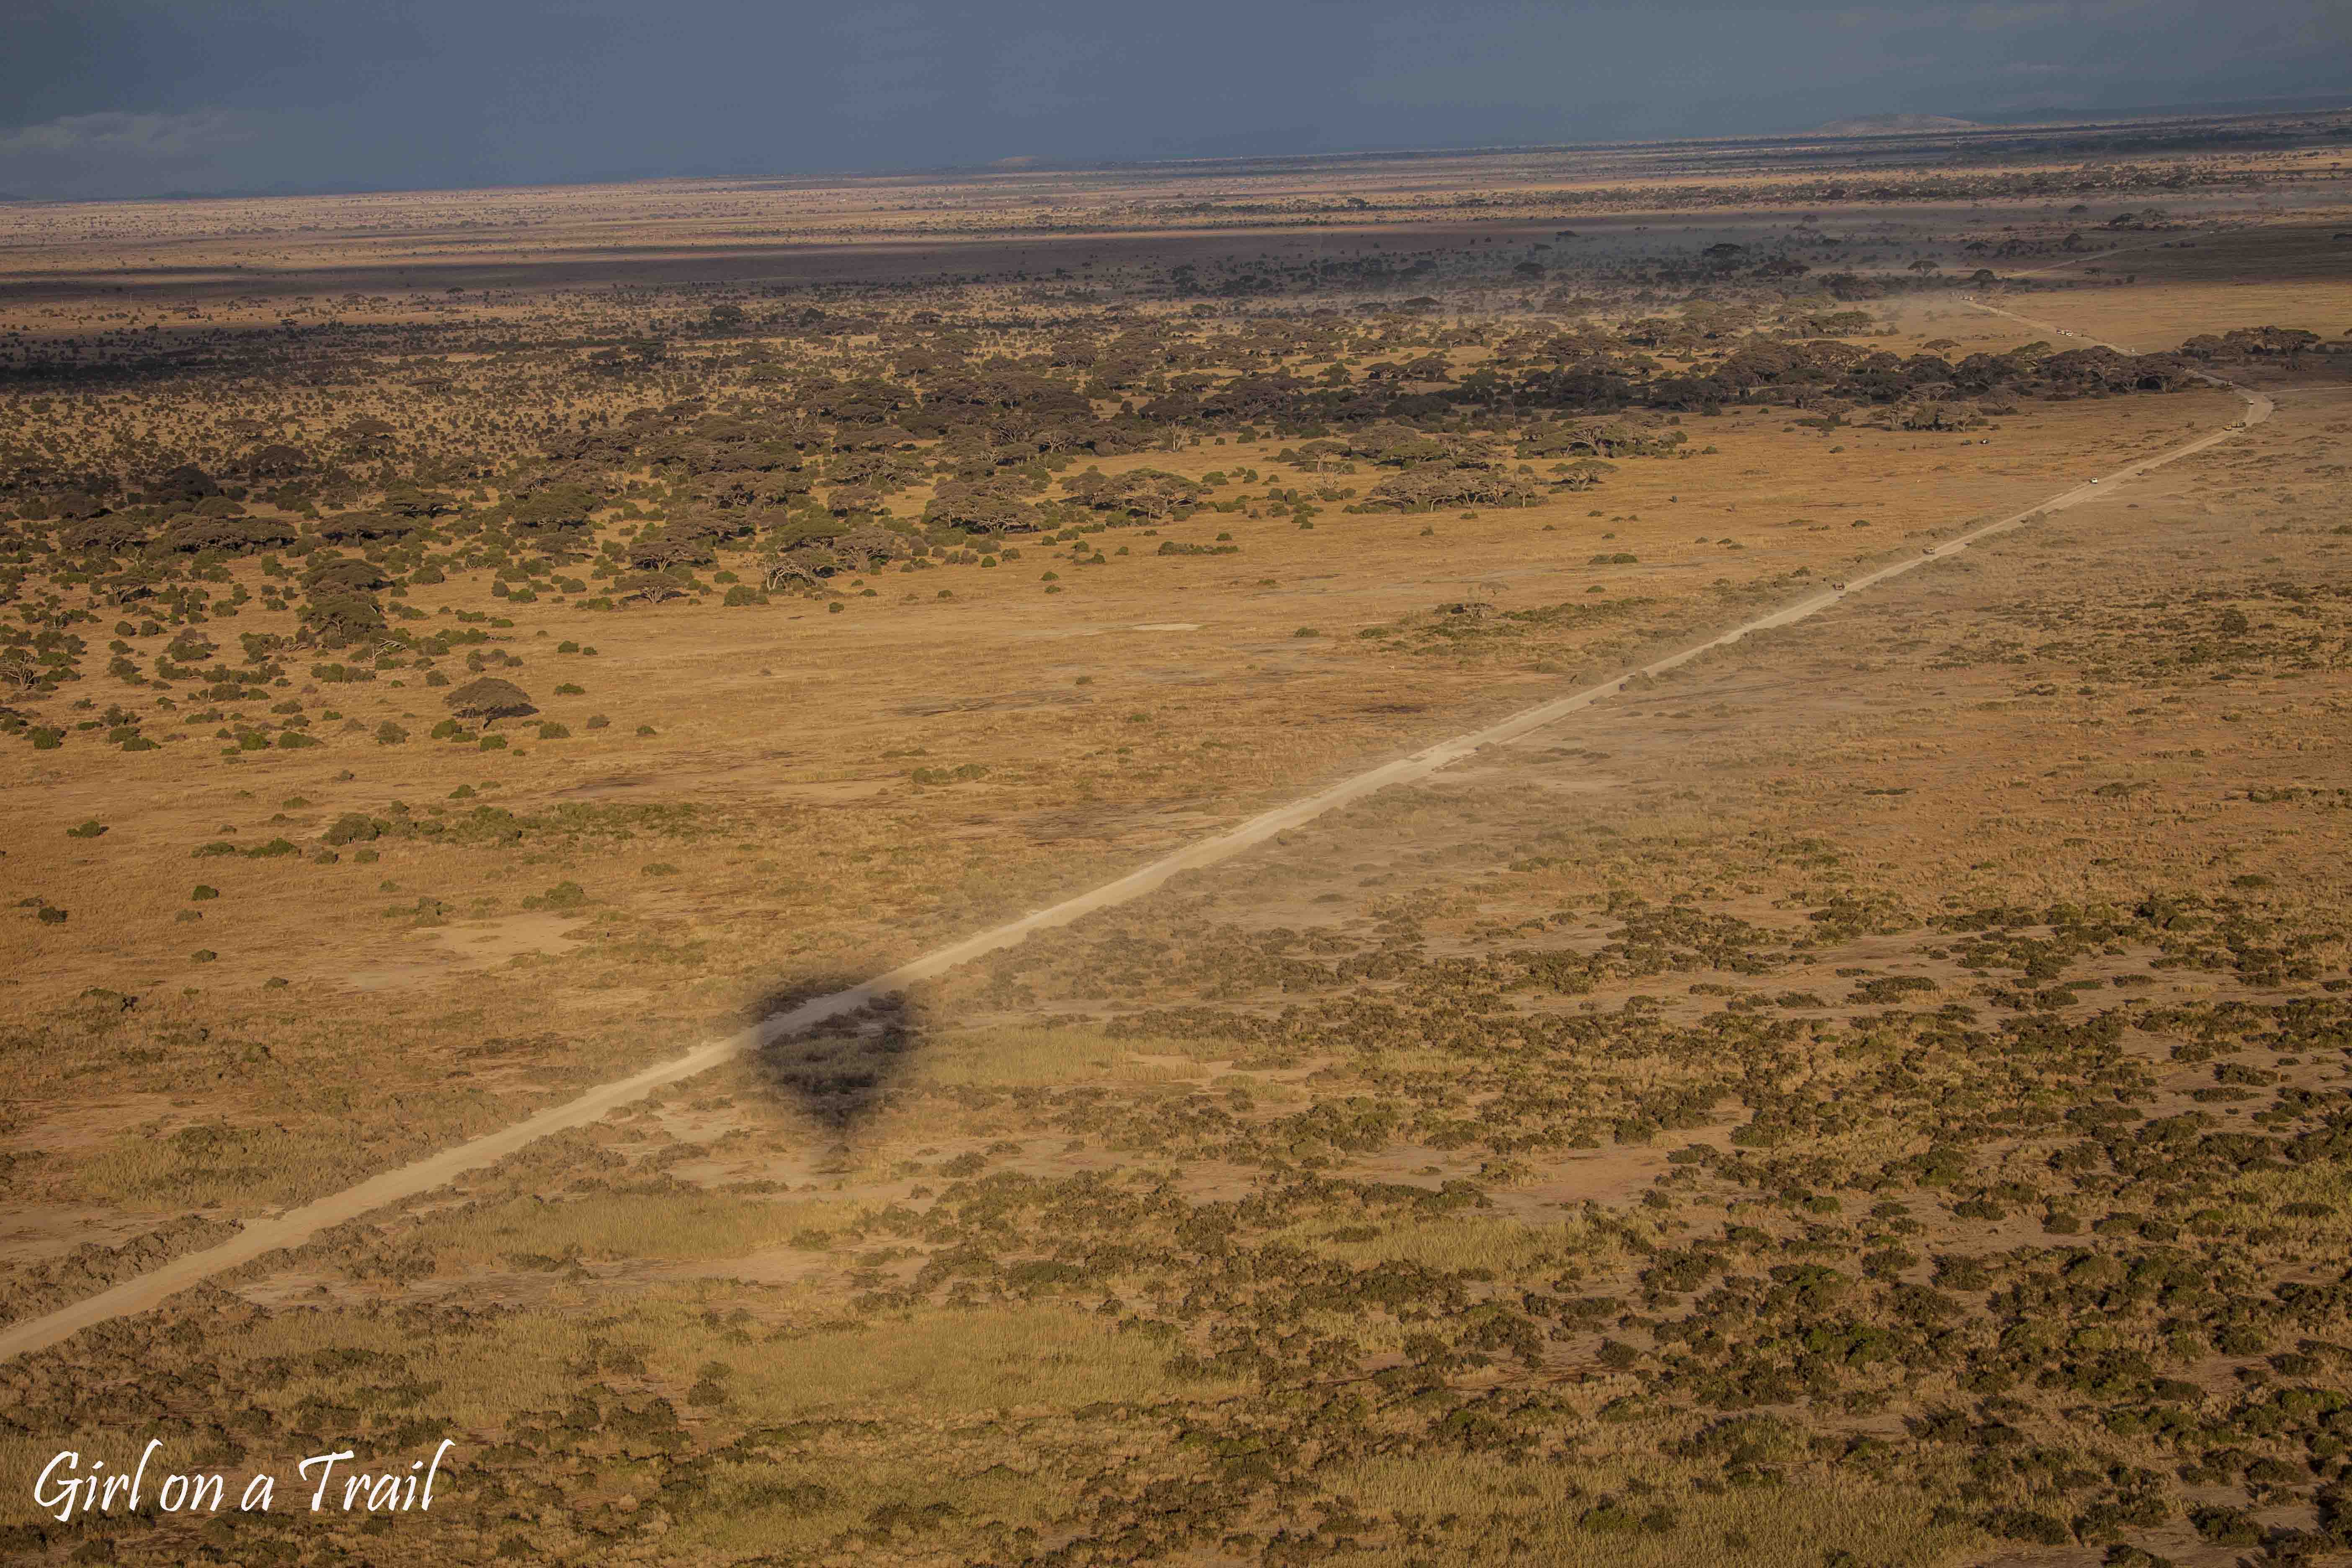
[(1869, 1097)]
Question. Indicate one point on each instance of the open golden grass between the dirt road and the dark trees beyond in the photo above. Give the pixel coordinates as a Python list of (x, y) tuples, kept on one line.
[(1076, 793)]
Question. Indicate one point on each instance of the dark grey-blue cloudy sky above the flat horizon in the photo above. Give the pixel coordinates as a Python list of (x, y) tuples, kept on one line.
[(140, 98)]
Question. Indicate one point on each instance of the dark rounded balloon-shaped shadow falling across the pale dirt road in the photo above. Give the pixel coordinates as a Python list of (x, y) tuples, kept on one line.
[(831, 1052)]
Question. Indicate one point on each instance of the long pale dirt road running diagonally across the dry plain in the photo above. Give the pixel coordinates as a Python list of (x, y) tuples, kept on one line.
[(298, 1226)]
